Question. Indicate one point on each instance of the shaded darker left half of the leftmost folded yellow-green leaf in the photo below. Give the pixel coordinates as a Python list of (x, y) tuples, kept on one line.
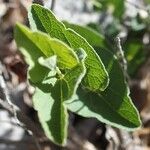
[(31, 52)]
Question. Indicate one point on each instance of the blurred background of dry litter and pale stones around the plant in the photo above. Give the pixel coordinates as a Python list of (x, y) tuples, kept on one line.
[(128, 19)]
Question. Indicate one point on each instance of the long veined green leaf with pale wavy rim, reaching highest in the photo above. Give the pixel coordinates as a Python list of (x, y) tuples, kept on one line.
[(42, 19)]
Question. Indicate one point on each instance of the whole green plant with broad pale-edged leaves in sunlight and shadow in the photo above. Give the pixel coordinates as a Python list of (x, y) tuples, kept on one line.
[(69, 74)]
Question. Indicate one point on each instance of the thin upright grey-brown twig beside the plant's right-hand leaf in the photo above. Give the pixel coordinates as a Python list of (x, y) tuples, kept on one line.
[(121, 57)]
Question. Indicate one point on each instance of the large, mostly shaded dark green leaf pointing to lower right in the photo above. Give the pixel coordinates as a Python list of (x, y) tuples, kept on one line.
[(113, 106)]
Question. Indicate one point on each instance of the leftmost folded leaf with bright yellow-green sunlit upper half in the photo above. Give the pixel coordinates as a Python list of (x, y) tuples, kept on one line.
[(37, 44)]
